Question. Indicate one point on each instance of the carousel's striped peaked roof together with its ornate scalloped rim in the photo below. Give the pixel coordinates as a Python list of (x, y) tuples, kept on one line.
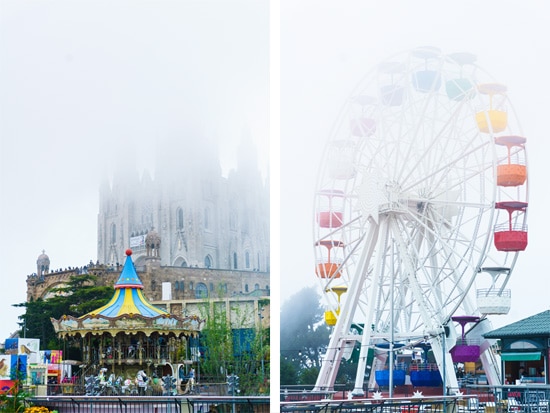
[(128, 311)]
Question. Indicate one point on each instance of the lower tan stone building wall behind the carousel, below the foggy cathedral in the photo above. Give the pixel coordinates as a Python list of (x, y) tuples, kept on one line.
[(244, 295)]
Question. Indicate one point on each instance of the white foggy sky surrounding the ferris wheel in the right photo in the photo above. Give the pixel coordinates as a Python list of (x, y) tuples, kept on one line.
[(326, 51)]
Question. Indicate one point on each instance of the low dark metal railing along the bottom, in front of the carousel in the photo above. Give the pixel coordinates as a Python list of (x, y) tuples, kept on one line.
[(167, 404)]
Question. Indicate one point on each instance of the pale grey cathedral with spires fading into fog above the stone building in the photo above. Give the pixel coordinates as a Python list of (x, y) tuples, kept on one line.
[(189, 214)]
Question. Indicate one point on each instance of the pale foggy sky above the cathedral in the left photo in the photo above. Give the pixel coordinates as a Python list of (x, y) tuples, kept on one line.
[(86, 84)]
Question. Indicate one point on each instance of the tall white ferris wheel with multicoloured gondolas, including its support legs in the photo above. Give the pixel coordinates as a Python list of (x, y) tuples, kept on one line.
[(420, 208)]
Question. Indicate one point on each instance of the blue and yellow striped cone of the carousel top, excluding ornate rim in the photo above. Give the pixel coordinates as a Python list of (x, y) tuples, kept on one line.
[(128, 297)]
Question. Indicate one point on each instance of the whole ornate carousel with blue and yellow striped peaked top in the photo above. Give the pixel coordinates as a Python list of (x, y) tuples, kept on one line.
[(129, 334)]
